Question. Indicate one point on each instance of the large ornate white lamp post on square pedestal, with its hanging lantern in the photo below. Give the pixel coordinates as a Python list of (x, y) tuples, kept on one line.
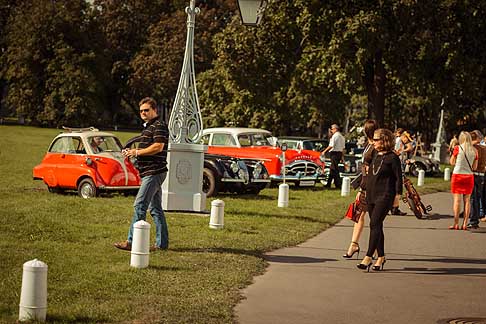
[(182, 190)]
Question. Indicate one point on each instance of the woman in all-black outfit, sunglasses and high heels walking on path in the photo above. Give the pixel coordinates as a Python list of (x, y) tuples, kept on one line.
[(384, 181)]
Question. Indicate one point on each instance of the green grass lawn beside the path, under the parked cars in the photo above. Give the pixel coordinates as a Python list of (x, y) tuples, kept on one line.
[(89, 281)]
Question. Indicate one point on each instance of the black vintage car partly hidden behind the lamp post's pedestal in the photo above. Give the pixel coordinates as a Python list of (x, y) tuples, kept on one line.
[(226, 174)]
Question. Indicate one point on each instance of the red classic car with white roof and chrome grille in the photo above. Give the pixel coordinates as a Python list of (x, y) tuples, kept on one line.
[(299, 168)]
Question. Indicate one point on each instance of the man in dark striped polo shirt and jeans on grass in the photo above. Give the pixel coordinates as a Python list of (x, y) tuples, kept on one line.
[(152, 166)]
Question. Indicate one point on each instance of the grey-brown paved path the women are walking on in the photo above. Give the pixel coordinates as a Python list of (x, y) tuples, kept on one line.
[(432, 275)]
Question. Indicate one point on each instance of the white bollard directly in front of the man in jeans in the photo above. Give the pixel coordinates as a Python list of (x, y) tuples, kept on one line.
[(140, 245)]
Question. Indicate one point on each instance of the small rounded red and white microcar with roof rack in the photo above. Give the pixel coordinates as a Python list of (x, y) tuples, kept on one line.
[(74, 162)]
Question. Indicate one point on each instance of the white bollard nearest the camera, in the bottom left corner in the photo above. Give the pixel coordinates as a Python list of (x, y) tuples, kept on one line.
[(33, 297)]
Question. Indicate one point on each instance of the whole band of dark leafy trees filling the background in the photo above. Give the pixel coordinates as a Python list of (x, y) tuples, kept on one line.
[(307, 65)]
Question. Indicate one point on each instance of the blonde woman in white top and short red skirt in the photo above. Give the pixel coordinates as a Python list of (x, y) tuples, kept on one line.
[(464, 159)]
